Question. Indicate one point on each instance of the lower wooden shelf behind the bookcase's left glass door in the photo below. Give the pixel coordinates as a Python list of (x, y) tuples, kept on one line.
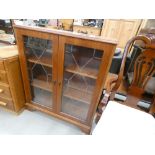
[(42, 85)]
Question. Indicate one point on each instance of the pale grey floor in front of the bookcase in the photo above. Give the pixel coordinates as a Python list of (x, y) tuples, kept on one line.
[(35, 123)]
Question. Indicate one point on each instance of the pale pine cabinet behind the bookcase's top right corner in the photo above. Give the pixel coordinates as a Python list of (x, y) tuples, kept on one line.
[(120, 29)]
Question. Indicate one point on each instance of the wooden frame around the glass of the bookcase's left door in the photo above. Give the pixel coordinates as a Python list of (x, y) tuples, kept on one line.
[(23, 63)]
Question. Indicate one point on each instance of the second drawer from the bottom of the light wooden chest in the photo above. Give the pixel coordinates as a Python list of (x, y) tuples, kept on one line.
[(5, 91)]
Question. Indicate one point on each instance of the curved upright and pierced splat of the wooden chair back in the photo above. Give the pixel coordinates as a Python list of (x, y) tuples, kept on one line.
[(144, 69)]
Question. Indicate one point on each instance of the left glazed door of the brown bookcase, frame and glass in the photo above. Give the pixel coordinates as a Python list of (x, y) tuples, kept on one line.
[(37, 56)]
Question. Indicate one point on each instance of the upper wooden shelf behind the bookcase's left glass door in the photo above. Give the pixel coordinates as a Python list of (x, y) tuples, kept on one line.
[(44, 60)]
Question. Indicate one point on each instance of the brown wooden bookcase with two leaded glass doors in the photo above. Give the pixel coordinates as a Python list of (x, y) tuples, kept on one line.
[(63, 73)]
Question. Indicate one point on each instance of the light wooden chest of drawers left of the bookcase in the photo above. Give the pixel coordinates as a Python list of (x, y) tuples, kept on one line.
[(11, 86)]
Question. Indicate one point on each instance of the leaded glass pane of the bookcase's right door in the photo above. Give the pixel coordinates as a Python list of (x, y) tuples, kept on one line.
[(81, 66)]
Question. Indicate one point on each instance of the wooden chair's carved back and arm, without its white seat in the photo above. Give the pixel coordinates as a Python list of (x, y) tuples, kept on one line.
[(144, 69)]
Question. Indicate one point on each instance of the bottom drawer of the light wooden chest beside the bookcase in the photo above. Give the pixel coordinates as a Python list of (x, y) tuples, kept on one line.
[(6, 103)]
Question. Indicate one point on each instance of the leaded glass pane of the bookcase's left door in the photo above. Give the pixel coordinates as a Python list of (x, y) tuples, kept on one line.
[(39, 61)]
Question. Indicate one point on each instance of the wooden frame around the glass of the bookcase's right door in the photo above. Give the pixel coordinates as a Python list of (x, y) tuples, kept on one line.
[(108, 49)]
